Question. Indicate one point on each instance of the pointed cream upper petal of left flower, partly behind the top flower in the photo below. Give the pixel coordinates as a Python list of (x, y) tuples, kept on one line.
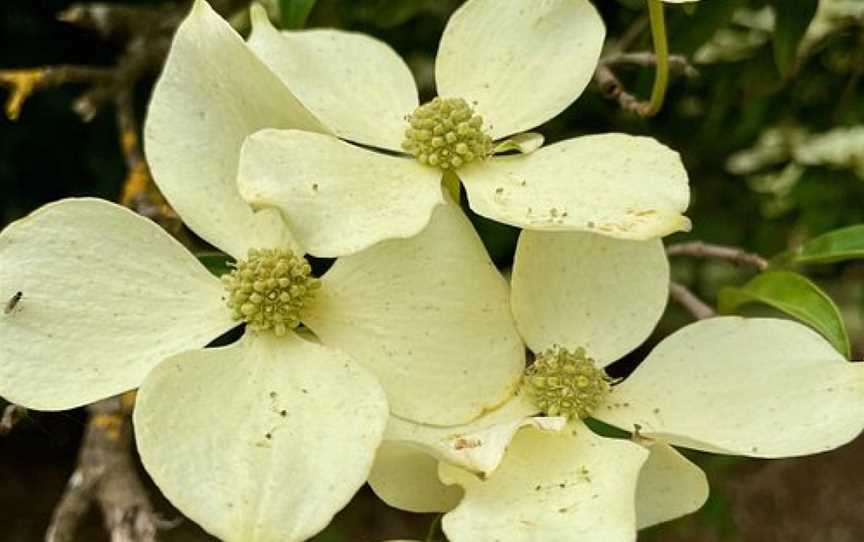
[(214, 92)]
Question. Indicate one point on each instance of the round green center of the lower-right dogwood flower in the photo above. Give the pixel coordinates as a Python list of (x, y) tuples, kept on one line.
[(565, 383)]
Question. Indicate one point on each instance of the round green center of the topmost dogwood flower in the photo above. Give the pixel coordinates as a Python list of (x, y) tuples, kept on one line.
[(446, 133)]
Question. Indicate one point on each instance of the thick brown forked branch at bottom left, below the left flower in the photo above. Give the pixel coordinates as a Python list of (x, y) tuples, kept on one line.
[(106, 475)]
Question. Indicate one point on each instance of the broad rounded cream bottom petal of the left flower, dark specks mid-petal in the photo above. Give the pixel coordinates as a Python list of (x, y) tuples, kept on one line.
[(261, 441)]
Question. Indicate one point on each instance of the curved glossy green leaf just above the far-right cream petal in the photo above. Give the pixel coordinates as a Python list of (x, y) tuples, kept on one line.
[(796, 296)]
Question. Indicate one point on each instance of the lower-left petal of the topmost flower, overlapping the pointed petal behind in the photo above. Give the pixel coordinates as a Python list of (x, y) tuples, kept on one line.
[(337, 198)]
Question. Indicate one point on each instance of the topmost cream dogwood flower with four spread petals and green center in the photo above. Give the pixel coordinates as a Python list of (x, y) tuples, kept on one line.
[(502, 68)]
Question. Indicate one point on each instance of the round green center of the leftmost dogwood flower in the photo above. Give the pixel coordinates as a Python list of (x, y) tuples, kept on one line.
[(269, 288)]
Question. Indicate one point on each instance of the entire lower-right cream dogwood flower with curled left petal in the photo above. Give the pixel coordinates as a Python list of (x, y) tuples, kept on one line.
[(753, 387)]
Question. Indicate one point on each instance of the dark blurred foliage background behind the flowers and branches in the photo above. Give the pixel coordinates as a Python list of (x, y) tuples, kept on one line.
[(772, 134)]
